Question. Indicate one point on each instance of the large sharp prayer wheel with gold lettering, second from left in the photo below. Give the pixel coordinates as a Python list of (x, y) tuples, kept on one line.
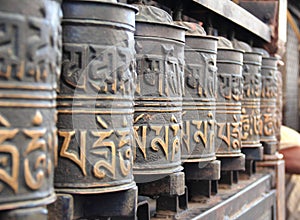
[(95, 101)]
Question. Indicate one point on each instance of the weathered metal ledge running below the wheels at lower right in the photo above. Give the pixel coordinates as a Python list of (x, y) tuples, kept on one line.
[(251, 198)]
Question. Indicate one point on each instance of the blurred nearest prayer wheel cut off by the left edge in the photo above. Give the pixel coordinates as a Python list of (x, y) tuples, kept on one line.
[(29, 66)]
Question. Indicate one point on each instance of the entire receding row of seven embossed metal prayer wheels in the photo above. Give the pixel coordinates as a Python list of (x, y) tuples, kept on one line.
[(139, 98)]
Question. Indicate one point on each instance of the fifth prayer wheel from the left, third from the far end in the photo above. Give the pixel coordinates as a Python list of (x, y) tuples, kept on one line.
[(228, 105)]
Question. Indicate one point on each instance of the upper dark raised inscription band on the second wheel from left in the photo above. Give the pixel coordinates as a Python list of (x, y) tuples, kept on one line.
[(97, 69)]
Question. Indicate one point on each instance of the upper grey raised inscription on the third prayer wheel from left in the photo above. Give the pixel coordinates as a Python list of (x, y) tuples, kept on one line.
[(159, 75)]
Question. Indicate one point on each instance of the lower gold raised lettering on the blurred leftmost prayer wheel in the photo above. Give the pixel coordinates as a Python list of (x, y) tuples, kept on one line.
[(35, 160)]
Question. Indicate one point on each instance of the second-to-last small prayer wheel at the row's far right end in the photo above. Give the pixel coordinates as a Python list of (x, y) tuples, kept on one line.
[(250, 117)]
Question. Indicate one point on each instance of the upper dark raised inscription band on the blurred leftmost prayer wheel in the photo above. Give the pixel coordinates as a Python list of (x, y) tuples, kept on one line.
[(35, 39)]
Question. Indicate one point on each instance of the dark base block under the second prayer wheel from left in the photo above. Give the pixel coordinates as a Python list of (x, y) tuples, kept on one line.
[(120, 204)]
